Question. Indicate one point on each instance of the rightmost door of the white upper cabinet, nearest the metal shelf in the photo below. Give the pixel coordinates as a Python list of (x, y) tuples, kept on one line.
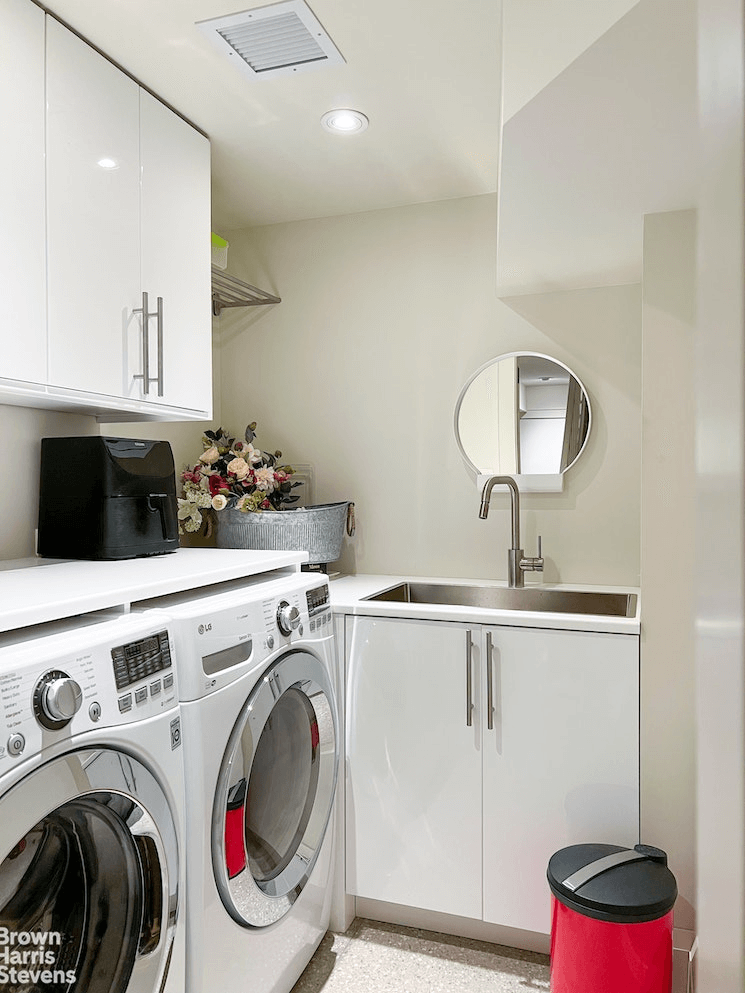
[(176, 257)]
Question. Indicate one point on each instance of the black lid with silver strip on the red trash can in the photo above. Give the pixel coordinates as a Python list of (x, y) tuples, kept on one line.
[(610, 883)]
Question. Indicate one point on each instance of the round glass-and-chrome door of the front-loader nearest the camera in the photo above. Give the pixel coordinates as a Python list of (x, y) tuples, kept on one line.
[(88, 877)]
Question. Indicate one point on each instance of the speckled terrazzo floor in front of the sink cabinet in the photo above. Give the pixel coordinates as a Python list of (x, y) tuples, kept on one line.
[(385, 958)]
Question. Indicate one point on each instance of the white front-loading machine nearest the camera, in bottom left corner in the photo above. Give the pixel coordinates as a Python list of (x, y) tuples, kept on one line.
[(91, 808)]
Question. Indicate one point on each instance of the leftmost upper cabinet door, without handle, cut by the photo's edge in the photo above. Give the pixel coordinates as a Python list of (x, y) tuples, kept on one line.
[(22, 259)]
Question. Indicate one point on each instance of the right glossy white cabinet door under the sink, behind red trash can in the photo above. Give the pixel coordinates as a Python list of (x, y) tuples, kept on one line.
[(561, 764)]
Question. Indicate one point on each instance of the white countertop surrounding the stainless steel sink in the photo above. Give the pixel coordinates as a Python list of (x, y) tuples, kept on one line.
[(348, 593)]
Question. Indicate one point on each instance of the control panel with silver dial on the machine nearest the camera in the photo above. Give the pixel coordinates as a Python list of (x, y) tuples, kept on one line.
[(59, 680)]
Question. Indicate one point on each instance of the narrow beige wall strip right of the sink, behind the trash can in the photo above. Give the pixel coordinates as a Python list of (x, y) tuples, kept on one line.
[(668, 733)]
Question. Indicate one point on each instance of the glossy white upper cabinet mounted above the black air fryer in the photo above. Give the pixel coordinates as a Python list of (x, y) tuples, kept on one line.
[(106, 201)]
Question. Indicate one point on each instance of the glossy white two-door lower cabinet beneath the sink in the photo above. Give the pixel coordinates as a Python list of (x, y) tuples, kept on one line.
[(460, 817)]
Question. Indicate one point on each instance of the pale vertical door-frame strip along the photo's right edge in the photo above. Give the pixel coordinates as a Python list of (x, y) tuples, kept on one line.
[(720, 492)]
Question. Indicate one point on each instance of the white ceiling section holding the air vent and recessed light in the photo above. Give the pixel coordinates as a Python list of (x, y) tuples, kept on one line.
[(426, 73)]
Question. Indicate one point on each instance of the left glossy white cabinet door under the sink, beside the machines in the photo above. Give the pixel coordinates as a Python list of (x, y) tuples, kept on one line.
[(414, 766)]
